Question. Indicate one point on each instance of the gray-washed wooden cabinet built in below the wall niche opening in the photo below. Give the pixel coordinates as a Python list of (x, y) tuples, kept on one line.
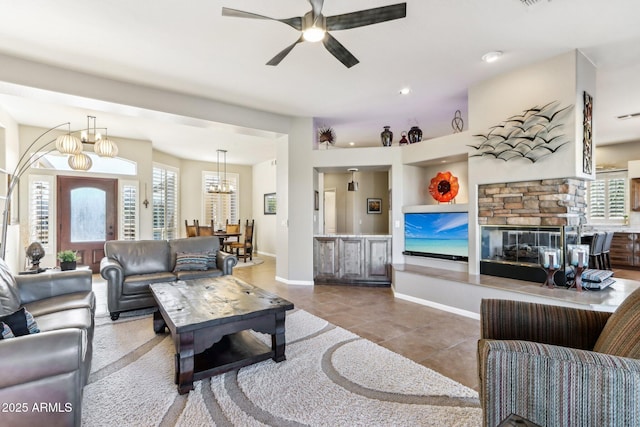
[(352, 259)]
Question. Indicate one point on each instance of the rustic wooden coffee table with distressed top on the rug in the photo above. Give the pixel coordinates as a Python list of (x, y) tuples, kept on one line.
[(209, 321)]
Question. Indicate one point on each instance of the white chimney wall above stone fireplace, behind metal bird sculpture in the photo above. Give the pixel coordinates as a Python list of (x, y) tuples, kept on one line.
[(493, 101)]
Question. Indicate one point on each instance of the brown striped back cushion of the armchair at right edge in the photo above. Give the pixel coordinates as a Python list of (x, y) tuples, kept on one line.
[(621, 334)]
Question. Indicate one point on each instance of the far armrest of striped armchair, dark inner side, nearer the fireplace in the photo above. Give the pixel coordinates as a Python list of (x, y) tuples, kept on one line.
[(547, 324)]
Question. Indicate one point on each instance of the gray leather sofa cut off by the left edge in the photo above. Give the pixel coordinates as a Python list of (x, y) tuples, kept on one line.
[(43, 374)]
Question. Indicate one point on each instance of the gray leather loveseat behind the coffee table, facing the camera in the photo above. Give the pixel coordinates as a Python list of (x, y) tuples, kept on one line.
[(130, 266)]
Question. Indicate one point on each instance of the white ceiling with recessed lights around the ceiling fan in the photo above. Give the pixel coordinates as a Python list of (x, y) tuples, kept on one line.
[(189, 47)]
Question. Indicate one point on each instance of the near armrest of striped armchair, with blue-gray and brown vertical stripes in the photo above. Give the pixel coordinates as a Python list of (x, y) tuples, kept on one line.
[(557, 386)]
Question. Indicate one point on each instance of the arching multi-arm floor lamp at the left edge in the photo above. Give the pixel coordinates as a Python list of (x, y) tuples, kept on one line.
[(65, 144)]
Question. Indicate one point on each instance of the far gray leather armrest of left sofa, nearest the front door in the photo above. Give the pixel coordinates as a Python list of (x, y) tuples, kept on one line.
[(46, 285)]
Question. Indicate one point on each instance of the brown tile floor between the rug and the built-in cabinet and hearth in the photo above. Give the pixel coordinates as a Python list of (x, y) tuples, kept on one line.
[(439, 340)]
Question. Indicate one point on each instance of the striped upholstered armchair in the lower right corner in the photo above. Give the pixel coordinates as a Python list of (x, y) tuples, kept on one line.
[(559, 366)]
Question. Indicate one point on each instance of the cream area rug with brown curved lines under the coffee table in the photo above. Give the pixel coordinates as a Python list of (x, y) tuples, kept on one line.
[(331, 377)]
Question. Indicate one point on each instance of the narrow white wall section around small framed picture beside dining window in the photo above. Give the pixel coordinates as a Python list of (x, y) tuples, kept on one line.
[(264, 181)]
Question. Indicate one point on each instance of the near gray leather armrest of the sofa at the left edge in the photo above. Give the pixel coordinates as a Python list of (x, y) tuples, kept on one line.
[(43, 355)]
